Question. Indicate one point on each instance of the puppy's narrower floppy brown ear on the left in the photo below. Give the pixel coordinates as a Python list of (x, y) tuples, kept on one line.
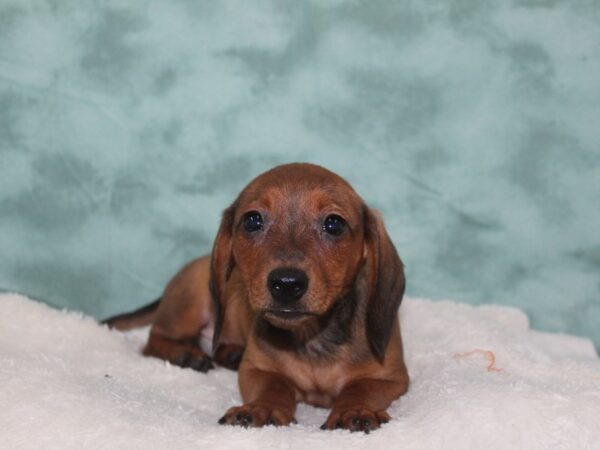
[(221, 265)]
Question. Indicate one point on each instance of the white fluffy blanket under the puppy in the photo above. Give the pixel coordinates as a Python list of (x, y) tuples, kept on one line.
[(480, 379)]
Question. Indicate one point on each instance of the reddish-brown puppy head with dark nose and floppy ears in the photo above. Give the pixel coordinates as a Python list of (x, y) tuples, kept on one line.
[(299, 235)]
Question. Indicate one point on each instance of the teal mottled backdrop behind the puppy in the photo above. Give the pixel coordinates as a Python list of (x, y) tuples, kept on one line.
[(127, 127)]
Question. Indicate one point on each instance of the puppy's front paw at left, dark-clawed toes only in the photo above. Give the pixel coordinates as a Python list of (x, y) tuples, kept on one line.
[(257, 415)]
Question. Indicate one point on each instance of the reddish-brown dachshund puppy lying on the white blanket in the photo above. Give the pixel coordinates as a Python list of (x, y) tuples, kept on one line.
[(301, 291)]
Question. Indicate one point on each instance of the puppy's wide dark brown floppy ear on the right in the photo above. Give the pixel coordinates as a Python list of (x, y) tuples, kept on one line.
[(386, 283)]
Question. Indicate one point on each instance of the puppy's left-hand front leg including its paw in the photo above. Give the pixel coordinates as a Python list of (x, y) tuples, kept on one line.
[(269, 398)]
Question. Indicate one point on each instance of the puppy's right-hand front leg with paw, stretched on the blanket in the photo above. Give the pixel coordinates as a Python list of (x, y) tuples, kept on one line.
[(361, 405)]
